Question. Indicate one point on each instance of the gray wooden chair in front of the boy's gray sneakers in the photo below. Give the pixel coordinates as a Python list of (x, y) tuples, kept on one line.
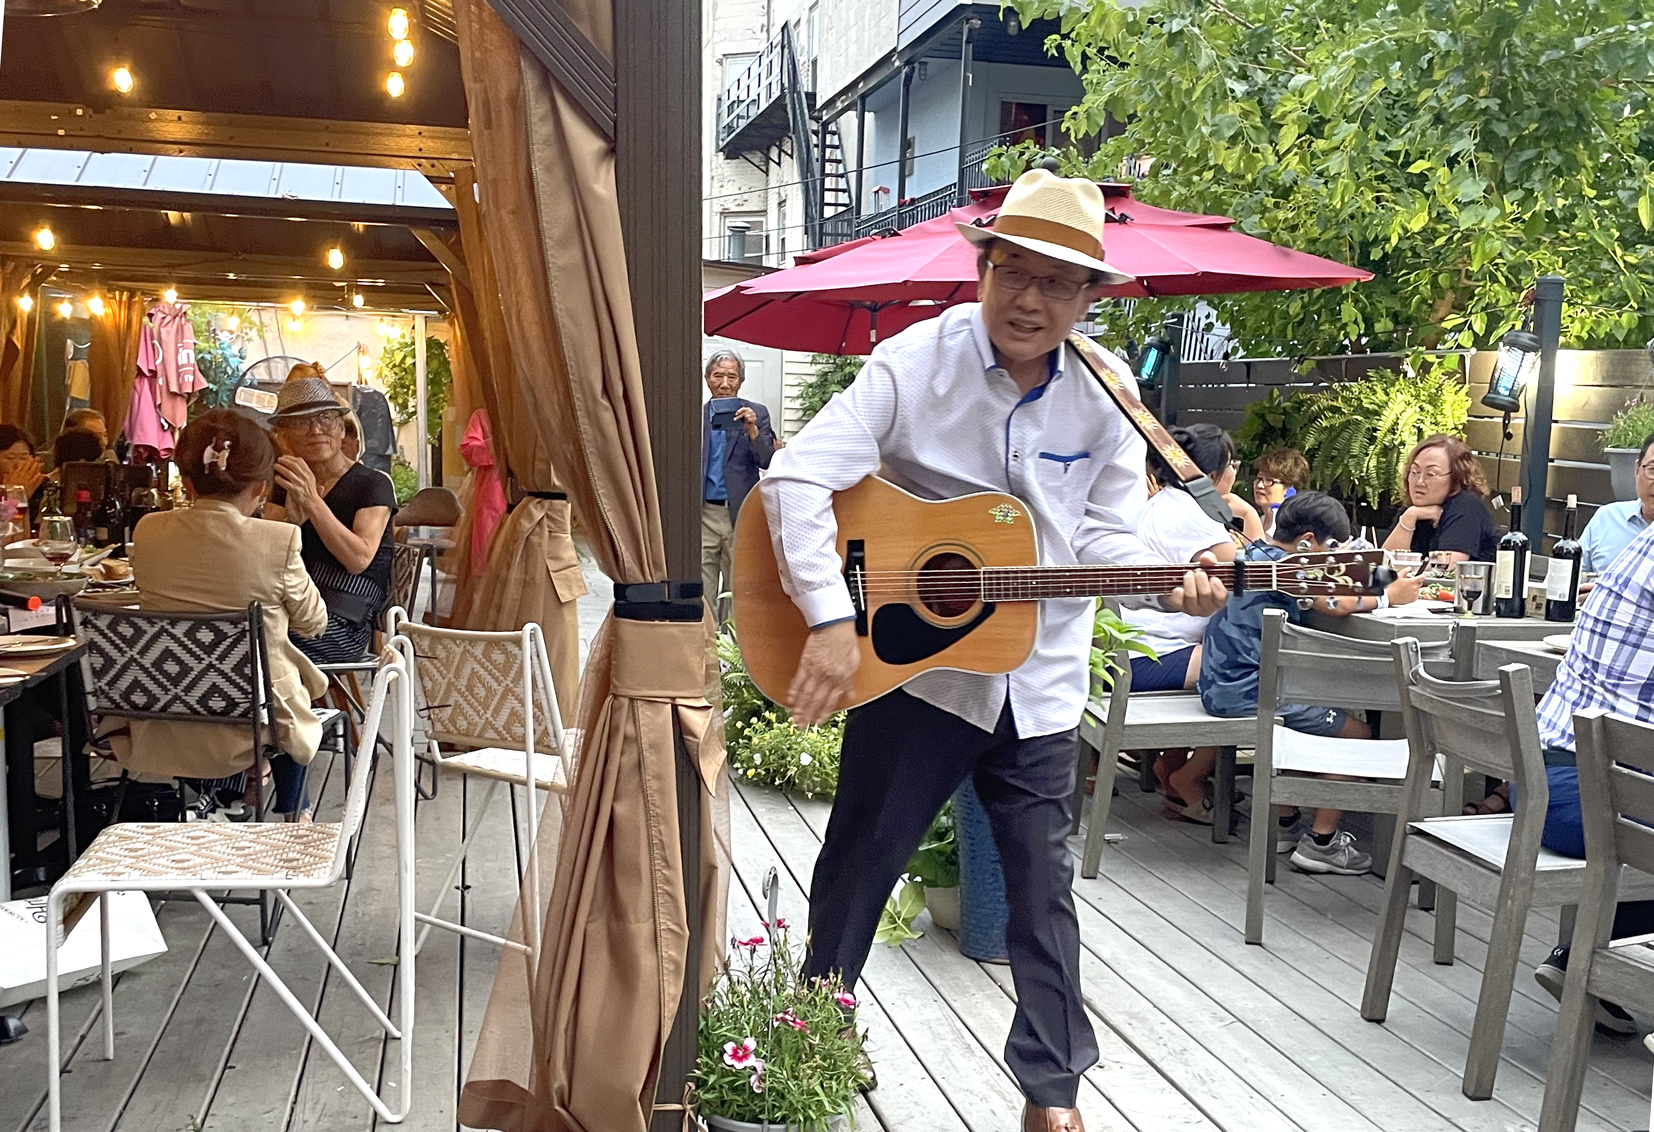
[(1304, 666)]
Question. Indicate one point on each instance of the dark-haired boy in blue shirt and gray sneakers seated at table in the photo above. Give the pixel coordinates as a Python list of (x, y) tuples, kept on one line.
[(1309, 522)]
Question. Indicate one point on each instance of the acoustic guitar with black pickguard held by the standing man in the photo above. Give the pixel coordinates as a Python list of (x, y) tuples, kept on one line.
[(957, 585)]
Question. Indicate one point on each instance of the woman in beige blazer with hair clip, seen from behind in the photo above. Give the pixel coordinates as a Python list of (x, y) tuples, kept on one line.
[(216, 557)]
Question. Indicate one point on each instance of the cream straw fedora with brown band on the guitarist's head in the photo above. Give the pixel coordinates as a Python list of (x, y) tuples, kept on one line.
[(1059, 218)]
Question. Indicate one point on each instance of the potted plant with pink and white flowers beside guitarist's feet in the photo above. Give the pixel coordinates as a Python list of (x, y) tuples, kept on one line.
[(775, 1050)]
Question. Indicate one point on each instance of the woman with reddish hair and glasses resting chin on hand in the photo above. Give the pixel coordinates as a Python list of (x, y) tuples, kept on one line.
[(1448, 504)]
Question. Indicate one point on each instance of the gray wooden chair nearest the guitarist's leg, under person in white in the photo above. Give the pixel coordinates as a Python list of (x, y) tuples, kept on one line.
[(1149, 721)]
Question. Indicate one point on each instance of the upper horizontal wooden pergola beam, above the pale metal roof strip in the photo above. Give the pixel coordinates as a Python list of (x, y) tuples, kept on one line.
[(434, 151)]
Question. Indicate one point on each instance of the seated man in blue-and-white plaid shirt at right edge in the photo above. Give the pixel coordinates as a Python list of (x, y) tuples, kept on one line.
[(1610, 666)]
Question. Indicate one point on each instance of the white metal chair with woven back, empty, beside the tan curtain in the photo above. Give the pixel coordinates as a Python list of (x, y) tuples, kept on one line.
[(492, 696)]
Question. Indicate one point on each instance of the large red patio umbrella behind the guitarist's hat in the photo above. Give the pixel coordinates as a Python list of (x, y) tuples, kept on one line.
[(839, 300)]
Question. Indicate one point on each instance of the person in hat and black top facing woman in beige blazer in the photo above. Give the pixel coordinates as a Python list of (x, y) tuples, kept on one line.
[(343, 511)]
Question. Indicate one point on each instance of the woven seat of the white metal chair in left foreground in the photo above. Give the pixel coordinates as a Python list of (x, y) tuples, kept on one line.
[(219, 853)]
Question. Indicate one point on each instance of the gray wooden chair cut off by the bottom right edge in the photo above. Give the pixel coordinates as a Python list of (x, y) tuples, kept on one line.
[(1617, 797)]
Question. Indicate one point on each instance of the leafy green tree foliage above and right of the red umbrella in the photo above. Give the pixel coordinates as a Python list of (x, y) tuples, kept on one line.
[(1453, 148)]
